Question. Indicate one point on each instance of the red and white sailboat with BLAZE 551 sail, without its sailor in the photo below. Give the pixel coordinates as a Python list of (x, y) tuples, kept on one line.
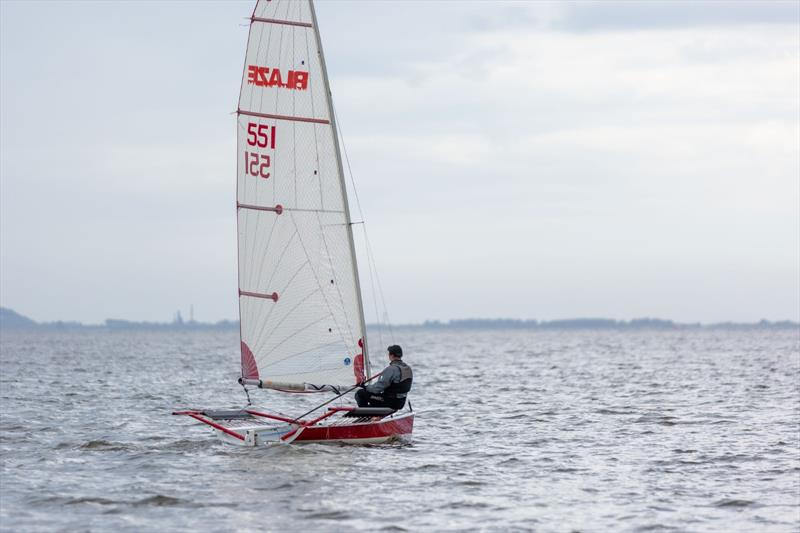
[(301, 315)]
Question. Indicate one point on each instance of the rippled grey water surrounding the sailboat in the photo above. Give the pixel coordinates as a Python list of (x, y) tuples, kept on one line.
[(545, 431)]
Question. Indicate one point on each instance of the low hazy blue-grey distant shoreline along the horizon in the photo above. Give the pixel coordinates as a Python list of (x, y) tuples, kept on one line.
[(12, 321)]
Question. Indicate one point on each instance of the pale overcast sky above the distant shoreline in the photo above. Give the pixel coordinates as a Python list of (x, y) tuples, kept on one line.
[(525, 160)]
